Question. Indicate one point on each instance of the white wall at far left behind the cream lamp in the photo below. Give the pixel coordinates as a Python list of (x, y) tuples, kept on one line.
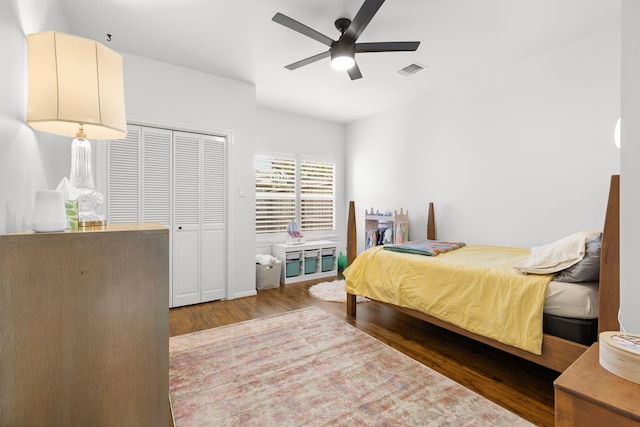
[(28, 160)]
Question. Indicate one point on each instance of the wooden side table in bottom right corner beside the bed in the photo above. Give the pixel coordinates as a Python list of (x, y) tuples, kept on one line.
[(586, 394)]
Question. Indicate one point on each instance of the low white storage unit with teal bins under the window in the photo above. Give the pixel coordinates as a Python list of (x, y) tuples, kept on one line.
[(307, 261)]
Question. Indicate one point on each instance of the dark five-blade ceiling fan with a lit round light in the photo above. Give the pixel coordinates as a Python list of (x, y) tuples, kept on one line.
[(343, 50)]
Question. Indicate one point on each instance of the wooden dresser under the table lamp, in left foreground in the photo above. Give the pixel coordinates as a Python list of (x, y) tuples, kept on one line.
[(84, 327)]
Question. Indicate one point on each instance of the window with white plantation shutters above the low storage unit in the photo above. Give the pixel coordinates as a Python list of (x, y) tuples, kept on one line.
[(294, 189)]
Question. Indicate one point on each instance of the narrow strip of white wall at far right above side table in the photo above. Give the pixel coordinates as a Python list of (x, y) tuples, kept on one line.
[(630, 173)]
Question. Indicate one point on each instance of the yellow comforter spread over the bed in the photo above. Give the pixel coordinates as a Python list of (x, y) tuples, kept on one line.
[(474, 287)]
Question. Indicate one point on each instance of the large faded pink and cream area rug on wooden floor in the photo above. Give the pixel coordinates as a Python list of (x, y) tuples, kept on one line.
[(309, 368)]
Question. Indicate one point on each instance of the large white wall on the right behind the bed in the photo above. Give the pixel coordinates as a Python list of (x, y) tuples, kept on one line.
[(520, 156)]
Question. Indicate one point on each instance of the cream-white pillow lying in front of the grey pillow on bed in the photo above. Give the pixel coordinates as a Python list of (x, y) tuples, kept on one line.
[(558, 255)]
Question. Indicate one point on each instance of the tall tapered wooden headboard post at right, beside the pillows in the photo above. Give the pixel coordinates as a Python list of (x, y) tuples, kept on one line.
[(609, 303)]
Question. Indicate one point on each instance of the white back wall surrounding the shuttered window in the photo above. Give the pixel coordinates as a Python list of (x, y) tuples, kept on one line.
[(282, 132)]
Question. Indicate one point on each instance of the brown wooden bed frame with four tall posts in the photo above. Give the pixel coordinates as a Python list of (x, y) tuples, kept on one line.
[(557, 353)]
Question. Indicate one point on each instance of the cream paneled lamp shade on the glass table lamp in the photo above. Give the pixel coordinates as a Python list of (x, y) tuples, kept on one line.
[(75, 81)]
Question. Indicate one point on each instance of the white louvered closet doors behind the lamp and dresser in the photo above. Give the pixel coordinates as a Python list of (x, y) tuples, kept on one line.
[(179, 180)]
